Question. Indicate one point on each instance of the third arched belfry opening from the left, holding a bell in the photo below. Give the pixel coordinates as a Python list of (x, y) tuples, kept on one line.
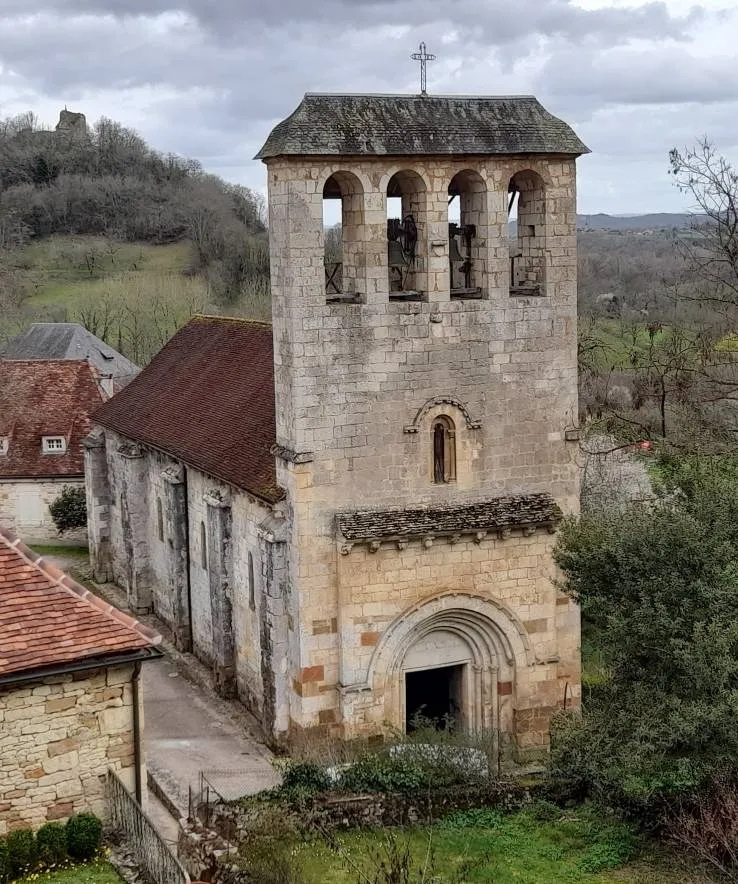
[(468, 235)]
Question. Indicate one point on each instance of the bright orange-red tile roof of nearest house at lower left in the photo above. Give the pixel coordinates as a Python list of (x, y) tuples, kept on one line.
[(47, 620)]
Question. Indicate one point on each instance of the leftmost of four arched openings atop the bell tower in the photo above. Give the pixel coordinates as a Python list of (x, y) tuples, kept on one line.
[(344, 254)]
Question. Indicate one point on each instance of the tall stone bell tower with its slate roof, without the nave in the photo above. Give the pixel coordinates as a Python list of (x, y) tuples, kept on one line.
[(426, 394)]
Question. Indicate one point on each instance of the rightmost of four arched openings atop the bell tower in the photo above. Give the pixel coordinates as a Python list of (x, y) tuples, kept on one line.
[(527, 195)]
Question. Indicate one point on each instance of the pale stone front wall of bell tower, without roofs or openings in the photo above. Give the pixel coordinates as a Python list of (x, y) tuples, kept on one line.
[(351, 378)]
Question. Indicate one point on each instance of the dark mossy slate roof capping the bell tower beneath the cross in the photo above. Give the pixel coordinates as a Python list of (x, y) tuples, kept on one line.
[(365, 125)]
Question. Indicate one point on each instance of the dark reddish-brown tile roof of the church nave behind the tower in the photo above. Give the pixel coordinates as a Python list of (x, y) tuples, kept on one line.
[(207, 399)]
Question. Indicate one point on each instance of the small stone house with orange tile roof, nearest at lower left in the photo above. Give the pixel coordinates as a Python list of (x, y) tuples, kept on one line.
[(71, 704)]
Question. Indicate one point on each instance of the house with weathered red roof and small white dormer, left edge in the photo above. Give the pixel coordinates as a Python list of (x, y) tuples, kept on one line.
[(44, 416)]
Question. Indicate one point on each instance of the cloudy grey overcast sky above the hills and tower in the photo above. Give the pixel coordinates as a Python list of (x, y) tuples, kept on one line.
[(209, 78)]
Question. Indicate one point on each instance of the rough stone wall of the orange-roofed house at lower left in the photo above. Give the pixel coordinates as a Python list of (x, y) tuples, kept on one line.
[(57, 740)]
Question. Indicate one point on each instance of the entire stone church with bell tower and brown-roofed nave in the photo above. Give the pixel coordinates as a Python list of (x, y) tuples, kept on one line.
[(349, 513)]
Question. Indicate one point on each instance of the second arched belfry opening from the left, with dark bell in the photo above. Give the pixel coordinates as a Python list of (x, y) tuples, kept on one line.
[(407, 257)]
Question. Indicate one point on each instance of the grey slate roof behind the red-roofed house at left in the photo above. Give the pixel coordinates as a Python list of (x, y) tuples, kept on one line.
[(69, 340)]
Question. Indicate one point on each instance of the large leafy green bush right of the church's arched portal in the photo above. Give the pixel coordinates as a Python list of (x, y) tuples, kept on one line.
[(659, 584)]
